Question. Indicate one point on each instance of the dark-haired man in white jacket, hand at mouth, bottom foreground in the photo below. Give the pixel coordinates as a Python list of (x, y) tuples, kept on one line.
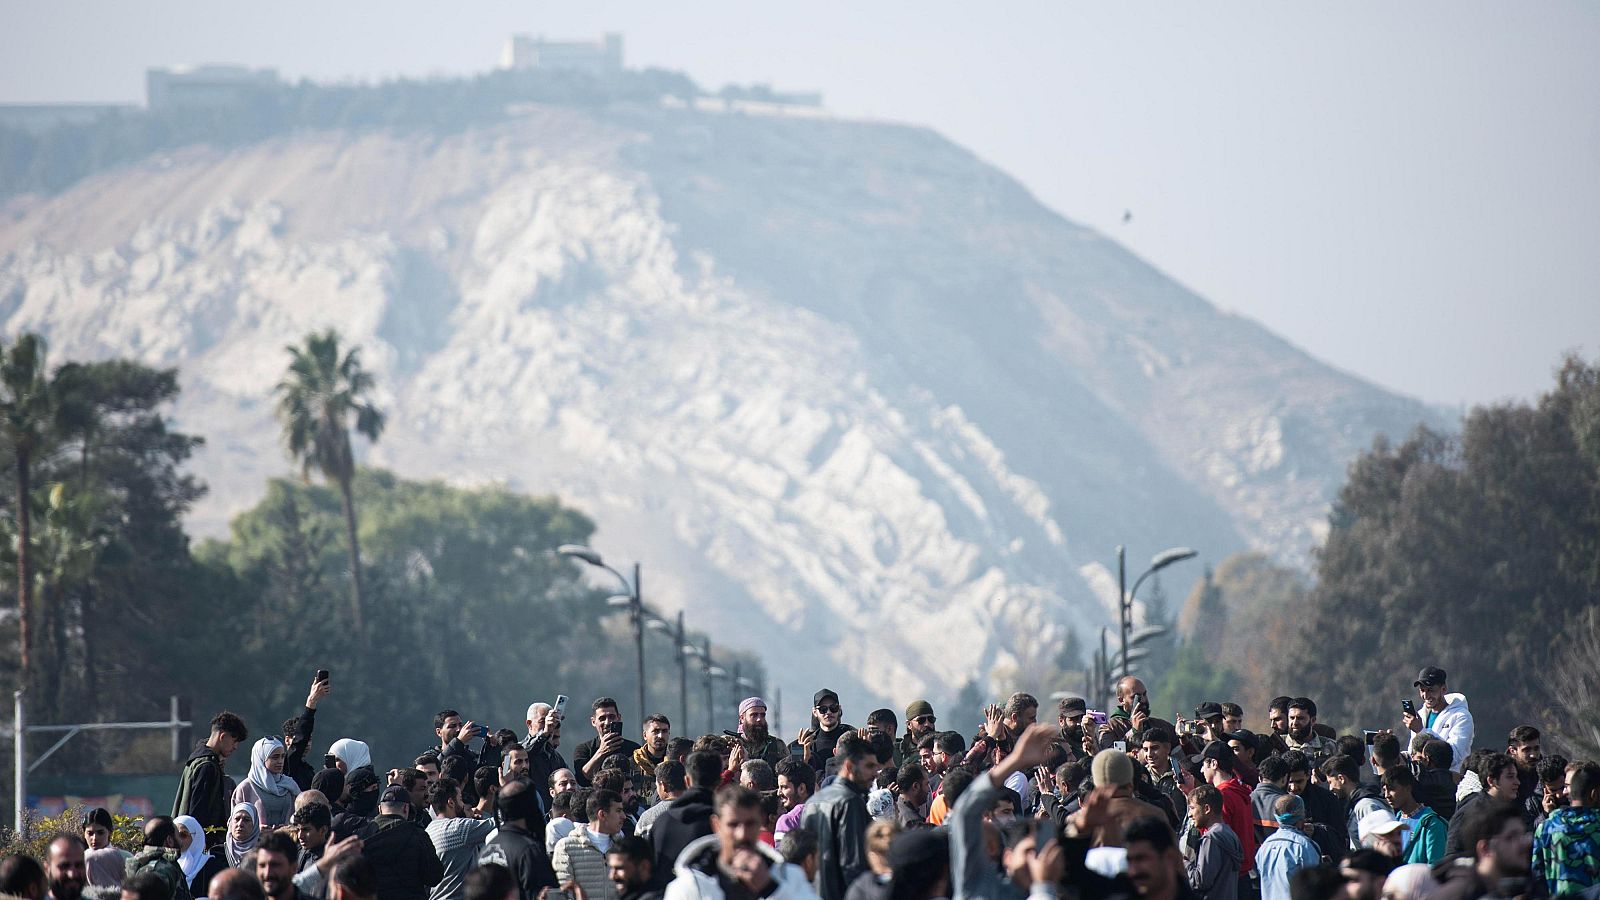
[(734, 861)]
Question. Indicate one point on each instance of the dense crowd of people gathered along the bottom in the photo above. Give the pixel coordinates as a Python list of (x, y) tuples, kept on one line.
[(1094, 805)]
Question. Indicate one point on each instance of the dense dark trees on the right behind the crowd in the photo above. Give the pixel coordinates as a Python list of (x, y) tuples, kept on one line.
[(1476, 552)]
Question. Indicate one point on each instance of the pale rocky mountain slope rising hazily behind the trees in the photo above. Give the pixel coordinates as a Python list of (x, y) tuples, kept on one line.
[(833, 382)]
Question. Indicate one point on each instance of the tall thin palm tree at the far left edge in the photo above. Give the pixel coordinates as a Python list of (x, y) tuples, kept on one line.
[(26, 419)]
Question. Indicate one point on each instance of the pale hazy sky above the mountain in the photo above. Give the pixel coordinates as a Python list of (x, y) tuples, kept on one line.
[(1410, 191)]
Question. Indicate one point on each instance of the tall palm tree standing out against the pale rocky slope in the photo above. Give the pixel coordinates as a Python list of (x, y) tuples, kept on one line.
[(319, 401)]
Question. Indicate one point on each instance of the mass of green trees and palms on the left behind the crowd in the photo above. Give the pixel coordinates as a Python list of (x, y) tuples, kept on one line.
[(415, 595)]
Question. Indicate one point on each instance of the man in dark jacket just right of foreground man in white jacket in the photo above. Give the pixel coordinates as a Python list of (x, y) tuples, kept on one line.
[(839, 818)]
